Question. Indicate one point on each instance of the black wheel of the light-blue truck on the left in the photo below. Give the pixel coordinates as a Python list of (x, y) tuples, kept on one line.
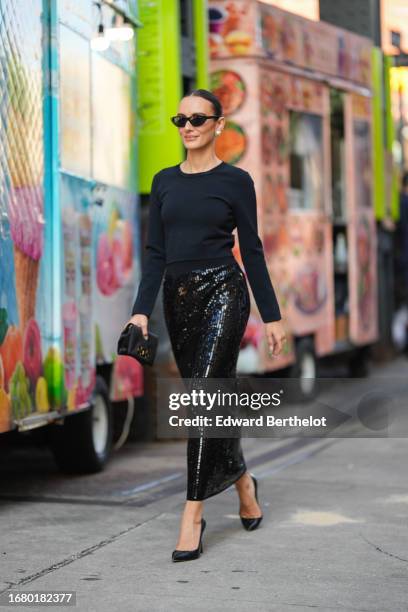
[(83, 443)]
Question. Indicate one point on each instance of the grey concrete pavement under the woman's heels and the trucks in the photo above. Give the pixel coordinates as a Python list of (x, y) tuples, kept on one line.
[(334, 536)]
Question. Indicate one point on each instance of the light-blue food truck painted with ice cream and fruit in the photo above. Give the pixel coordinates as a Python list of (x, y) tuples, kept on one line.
[(69, 224)]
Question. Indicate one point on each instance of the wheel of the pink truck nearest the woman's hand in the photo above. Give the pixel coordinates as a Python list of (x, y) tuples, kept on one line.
[(304, 370)]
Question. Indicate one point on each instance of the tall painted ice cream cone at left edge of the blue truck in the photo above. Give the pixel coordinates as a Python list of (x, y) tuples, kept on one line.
[(24, 149)]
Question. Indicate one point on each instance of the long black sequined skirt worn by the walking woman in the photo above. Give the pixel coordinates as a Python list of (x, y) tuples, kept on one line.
[(206, 308)]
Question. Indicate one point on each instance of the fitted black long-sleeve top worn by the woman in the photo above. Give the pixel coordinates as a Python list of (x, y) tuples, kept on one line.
[(191, 217)]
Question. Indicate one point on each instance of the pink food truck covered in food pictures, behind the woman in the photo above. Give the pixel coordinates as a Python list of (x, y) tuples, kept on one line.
[(298, 101)]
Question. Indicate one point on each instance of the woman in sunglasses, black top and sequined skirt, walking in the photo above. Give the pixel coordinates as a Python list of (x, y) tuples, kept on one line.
[(194, 207)]
